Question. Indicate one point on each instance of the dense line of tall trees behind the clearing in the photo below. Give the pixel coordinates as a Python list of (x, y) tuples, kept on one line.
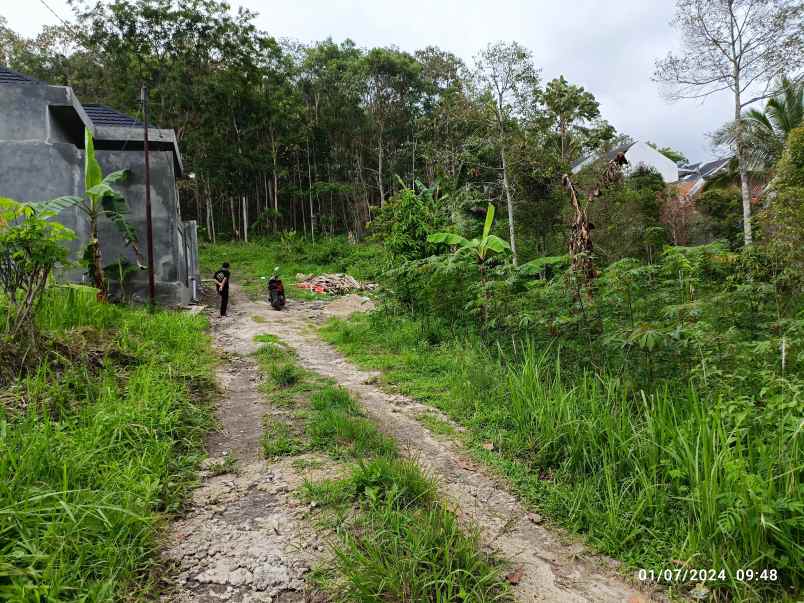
[(315, 137)]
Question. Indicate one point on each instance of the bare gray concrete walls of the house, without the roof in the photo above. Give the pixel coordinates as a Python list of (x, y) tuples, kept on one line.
[(38, 163)]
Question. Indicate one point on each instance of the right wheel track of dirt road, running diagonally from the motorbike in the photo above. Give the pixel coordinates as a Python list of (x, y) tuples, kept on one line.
[(555, 568)]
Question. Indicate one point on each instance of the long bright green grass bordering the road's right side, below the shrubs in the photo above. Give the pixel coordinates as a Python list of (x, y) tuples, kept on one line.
[(649, 478)]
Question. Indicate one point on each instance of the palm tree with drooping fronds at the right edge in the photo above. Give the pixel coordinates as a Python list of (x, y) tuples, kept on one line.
[(766, 131)]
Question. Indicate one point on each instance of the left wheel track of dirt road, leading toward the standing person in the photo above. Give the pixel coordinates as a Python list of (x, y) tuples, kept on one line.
[(244, 537)]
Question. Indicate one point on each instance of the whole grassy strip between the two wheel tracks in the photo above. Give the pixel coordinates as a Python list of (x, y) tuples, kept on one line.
[(402, 544)]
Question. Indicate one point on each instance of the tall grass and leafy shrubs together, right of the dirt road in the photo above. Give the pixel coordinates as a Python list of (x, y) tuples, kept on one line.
[(669, 371)]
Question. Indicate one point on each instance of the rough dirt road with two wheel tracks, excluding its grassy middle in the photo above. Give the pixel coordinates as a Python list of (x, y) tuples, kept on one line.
[(245, 538)]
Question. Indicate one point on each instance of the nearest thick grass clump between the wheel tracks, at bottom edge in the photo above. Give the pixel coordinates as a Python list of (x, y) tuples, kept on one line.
[(402, 543)]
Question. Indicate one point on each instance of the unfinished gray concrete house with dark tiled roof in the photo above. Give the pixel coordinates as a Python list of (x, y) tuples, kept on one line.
[(42, 157)]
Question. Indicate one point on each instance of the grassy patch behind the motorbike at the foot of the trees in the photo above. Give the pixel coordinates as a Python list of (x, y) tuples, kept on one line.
[(253, 263)]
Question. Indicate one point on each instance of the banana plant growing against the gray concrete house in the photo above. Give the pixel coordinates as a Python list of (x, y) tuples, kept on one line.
[(100, 200)]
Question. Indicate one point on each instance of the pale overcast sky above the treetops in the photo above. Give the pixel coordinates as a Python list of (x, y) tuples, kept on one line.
[(609, 48)]
